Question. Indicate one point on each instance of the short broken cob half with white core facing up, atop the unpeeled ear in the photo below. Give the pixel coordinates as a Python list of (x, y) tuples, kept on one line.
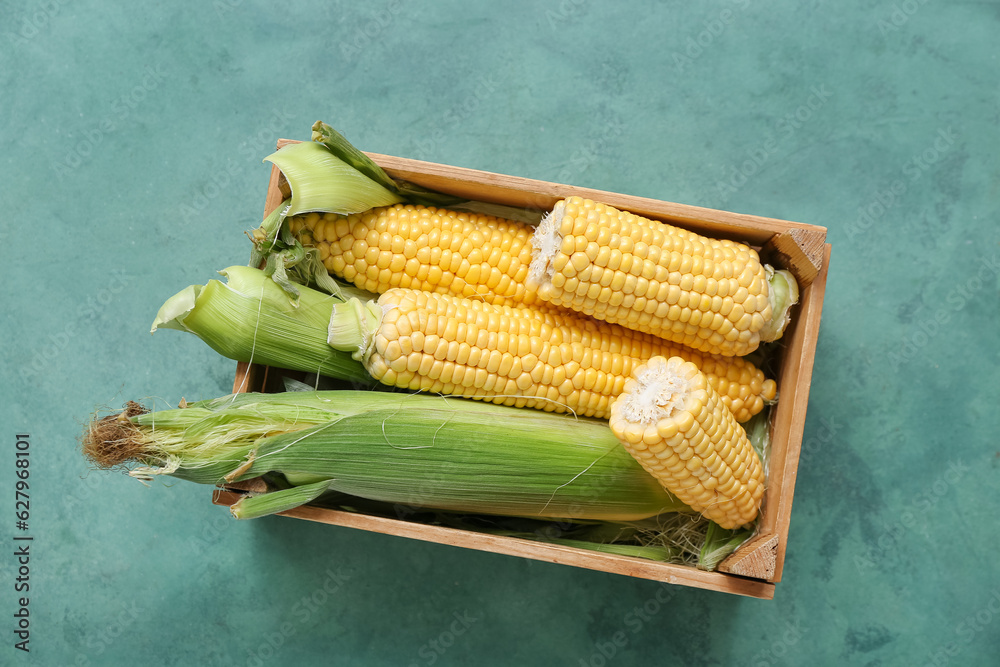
[(676, 425)]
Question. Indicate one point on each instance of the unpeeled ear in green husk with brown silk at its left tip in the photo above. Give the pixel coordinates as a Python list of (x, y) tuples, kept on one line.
[(423, 451)]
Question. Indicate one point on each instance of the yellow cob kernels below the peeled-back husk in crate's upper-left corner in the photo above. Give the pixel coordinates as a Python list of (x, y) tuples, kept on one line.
[(420, 247)]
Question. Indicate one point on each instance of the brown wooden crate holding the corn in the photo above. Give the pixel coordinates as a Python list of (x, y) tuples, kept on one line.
[(755, 568)]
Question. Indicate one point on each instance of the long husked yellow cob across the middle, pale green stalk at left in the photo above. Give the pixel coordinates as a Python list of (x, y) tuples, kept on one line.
[(525, 357)]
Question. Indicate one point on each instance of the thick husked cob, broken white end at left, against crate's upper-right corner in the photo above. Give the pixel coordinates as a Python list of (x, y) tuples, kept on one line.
[(711, 295)]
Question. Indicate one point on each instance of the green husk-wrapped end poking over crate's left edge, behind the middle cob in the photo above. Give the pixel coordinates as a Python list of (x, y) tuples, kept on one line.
[(252, 319)]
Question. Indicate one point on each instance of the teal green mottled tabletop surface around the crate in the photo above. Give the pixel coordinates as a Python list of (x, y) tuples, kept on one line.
[(130, 166)]
